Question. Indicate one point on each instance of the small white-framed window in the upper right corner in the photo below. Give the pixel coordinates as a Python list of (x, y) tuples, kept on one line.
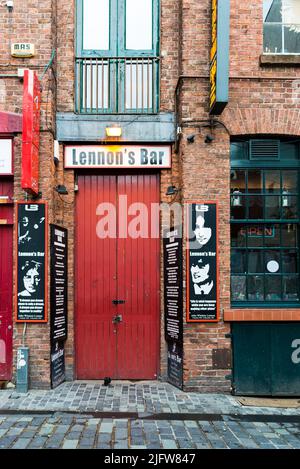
[(281, 26)]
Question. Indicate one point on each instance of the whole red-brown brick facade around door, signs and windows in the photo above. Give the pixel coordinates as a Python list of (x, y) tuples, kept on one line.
[(262, 100)]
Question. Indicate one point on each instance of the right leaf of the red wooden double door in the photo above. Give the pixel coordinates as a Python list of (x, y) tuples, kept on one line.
[(138, 283)]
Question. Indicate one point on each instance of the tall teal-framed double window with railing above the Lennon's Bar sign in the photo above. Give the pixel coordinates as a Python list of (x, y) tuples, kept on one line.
[(117, 63)]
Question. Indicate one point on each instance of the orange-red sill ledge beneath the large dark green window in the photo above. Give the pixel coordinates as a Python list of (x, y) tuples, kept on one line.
[(257, 314)]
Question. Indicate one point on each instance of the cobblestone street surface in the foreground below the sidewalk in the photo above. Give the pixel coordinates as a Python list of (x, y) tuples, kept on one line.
[(69, 431)]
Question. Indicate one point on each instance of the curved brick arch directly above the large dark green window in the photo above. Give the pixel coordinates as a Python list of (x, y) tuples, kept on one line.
[(262, 121)]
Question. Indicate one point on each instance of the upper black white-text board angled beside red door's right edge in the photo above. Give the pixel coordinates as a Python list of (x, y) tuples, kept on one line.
[(173, 298)]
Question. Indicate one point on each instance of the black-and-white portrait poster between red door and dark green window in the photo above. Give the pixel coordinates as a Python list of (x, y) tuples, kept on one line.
[(202, 262)]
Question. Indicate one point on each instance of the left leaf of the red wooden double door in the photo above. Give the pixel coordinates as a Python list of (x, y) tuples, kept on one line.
[(95, 282)]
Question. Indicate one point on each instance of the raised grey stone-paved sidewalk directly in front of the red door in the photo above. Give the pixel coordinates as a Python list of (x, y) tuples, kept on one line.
[(152, 397)]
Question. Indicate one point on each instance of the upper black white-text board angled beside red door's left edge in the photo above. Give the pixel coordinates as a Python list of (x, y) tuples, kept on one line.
[(59, 282)]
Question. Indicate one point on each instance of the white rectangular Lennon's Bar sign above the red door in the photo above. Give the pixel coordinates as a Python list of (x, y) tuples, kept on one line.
[(117, 156)]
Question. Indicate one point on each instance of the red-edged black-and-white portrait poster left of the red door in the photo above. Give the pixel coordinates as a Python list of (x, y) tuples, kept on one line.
[(32, 262)]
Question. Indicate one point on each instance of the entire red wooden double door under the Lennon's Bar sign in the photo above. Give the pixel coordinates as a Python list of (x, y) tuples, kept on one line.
[(117, 276)]
